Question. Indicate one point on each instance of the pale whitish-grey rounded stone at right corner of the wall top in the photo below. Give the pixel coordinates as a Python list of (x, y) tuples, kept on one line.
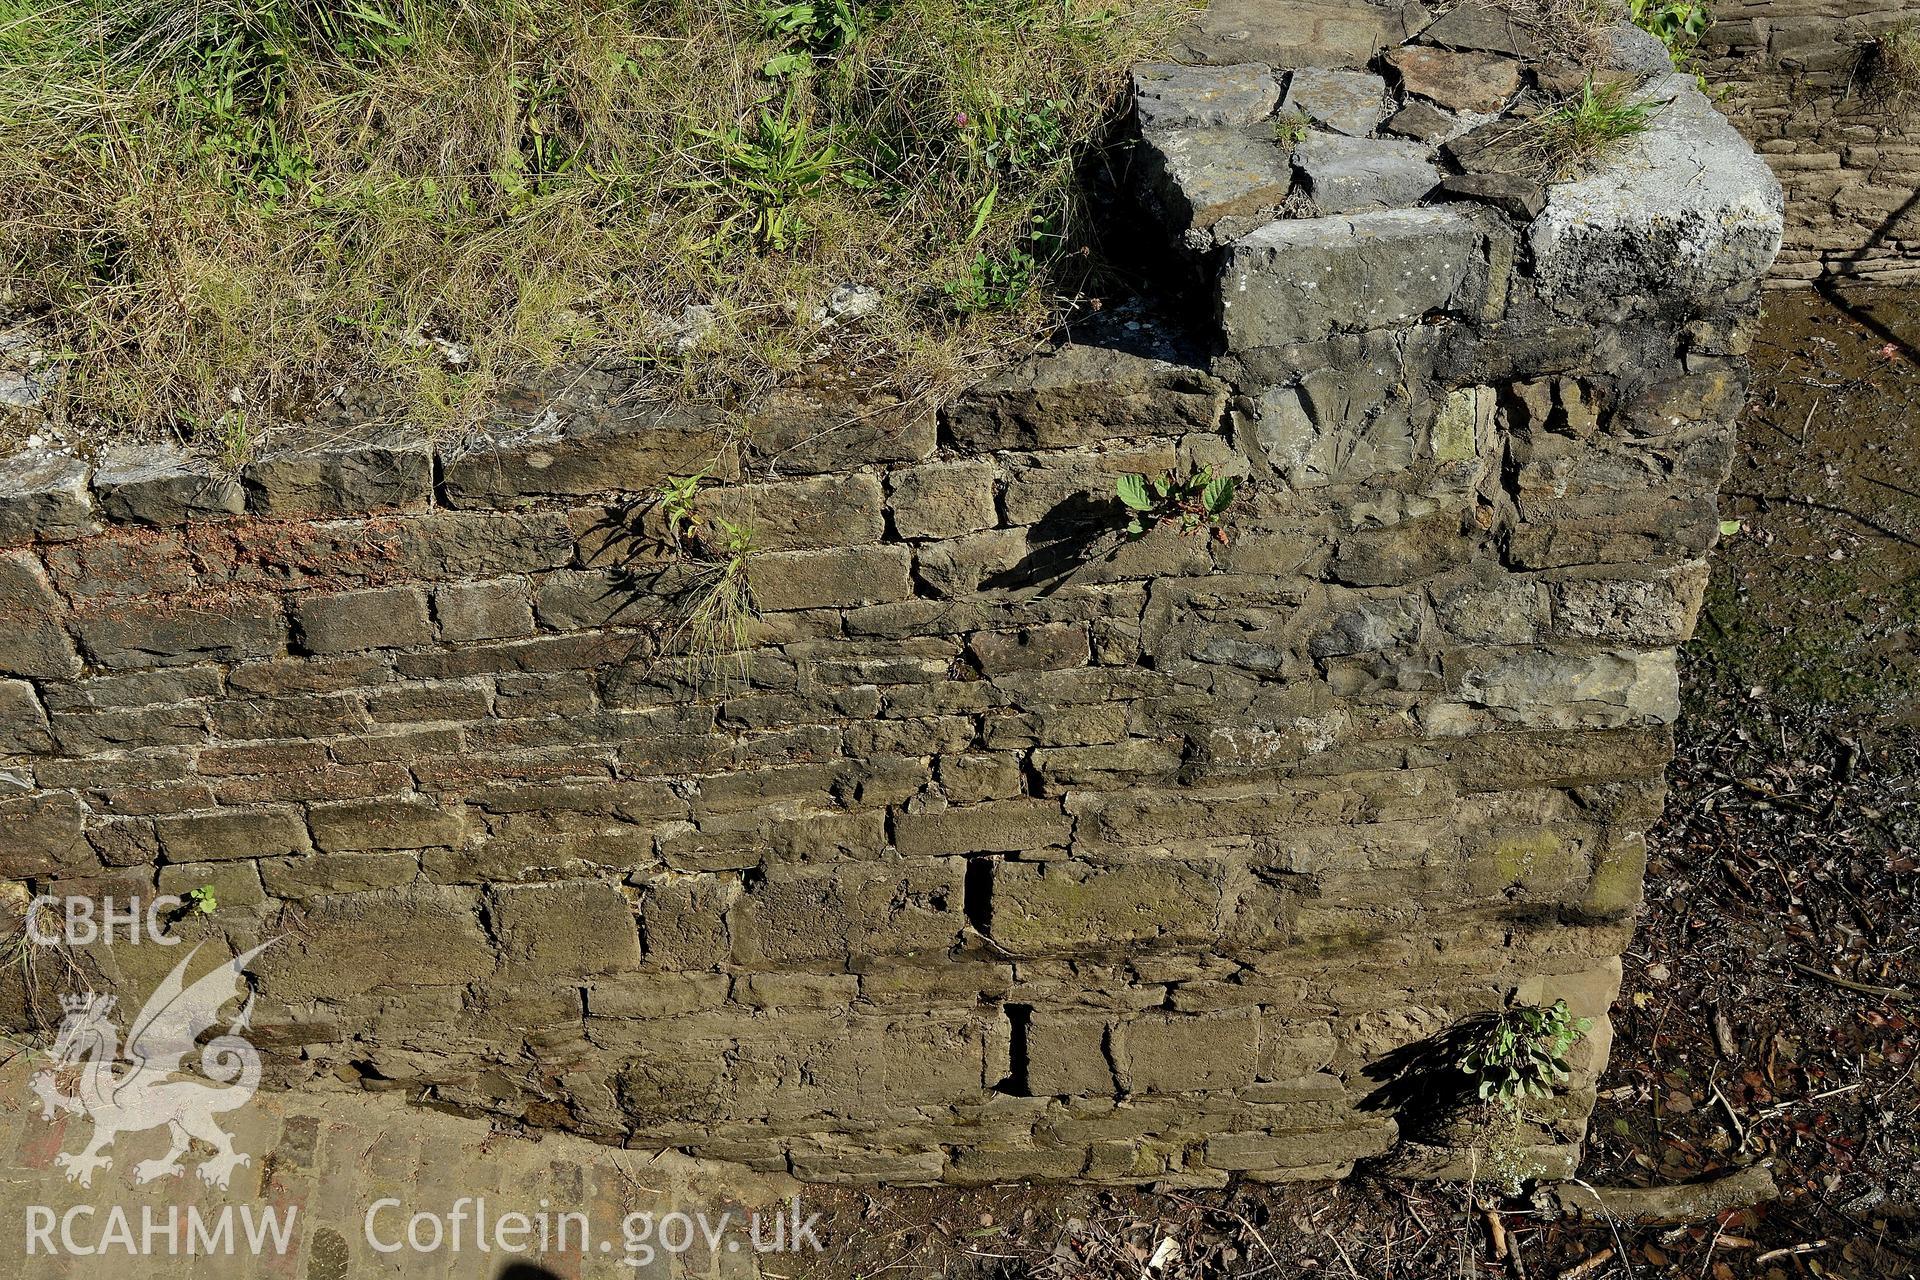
[(1683, 214)]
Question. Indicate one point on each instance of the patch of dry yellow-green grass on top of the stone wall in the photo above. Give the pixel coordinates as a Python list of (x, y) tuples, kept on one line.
[(228, 210)]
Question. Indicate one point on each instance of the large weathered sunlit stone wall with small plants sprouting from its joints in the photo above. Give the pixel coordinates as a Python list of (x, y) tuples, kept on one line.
[(1013, 849)]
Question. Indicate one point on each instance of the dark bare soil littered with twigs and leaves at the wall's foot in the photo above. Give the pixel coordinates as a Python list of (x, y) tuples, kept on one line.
[(1773, 991)]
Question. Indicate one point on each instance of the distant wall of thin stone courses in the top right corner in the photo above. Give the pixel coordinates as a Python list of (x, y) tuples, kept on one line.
[(1800, 82)]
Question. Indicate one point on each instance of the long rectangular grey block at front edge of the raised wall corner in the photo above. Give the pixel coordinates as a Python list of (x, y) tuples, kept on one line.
[(1308, 279)]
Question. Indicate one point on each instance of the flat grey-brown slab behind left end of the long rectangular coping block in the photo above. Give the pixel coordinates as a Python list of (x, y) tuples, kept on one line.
[(1205, 176)]
